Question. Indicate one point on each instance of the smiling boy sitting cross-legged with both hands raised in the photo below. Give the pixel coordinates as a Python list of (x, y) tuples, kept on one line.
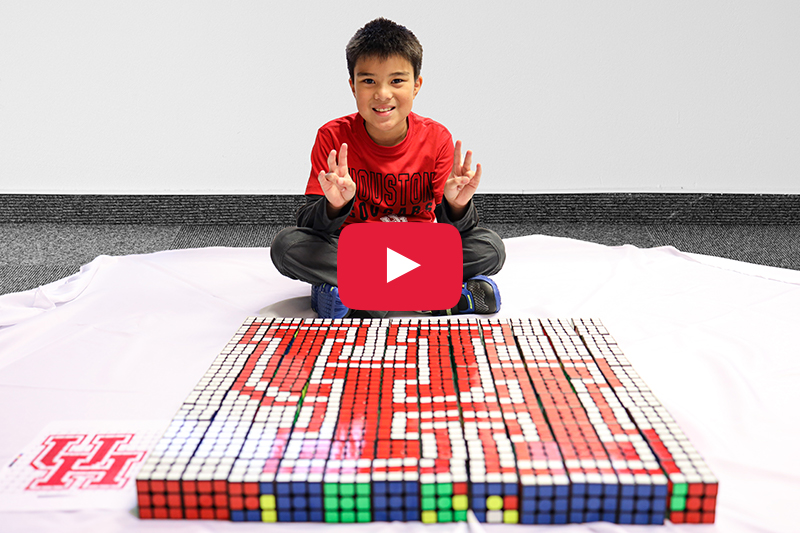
[(386, 164)]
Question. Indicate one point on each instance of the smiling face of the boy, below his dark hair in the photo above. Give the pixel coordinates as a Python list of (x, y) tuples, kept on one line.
[(385, 91)]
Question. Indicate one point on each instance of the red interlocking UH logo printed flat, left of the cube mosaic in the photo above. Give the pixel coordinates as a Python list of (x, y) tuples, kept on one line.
[(98, 464)]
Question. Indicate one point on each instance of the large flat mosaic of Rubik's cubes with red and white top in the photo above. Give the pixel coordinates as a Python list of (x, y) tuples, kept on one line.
[(517, 421)]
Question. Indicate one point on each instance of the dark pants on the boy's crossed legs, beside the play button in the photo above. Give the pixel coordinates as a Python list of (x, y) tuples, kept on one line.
[(310, 256)]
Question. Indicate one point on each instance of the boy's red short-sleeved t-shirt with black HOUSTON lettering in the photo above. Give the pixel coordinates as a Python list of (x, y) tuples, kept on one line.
[(393, 183)]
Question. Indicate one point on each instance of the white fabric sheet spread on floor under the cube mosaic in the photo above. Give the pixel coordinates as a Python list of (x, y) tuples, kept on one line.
[(128, 337)]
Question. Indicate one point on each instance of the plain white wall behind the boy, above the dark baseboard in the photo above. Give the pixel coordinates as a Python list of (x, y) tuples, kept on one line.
[(204, 96)]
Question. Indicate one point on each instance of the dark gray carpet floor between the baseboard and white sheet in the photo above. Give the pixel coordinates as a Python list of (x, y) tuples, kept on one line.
[(34, 254)]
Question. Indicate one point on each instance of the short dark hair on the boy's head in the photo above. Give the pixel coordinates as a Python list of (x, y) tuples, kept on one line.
[(383, 38)]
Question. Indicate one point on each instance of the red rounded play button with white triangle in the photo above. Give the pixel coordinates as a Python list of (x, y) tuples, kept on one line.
[(399, 266)]
